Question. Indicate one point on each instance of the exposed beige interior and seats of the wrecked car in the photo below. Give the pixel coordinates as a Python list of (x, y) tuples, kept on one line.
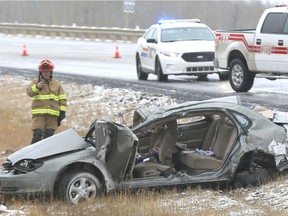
[(194, 144)]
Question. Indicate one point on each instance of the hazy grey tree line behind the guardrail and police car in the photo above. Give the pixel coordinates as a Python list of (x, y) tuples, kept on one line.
[(216, 14)]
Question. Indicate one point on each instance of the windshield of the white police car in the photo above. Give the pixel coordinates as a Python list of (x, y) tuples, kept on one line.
[(186, 34)]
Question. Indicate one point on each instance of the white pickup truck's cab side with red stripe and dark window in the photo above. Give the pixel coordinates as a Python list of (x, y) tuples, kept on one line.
[(273, 41)]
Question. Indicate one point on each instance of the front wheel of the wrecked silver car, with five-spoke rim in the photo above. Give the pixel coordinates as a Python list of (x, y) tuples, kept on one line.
[(79, 186)]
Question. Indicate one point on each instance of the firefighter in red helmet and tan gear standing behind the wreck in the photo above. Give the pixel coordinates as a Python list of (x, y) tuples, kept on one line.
[(48, 102)]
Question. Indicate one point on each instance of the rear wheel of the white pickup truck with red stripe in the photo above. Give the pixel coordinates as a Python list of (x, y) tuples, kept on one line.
[(241, 79)]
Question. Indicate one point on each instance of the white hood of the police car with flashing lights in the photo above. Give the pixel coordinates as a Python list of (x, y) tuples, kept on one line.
[(188, 46)]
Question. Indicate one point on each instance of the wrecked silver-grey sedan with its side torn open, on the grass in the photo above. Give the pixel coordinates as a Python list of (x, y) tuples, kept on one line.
[(217, 140)]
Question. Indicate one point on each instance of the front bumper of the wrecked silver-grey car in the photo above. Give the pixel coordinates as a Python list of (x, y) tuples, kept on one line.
[(29, 183)]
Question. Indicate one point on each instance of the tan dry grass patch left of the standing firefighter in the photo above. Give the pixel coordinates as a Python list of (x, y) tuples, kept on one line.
[(15, 115)]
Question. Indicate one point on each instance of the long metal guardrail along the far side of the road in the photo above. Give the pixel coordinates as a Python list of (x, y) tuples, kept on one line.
[(82, 32)]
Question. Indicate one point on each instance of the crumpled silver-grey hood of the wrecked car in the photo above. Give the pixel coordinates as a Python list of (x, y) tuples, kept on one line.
[(62, 142)]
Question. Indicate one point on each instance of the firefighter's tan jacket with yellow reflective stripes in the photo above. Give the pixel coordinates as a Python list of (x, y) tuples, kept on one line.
[(48, 100)]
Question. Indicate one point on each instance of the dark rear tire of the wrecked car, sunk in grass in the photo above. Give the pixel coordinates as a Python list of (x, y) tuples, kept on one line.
[(255, 177)]
